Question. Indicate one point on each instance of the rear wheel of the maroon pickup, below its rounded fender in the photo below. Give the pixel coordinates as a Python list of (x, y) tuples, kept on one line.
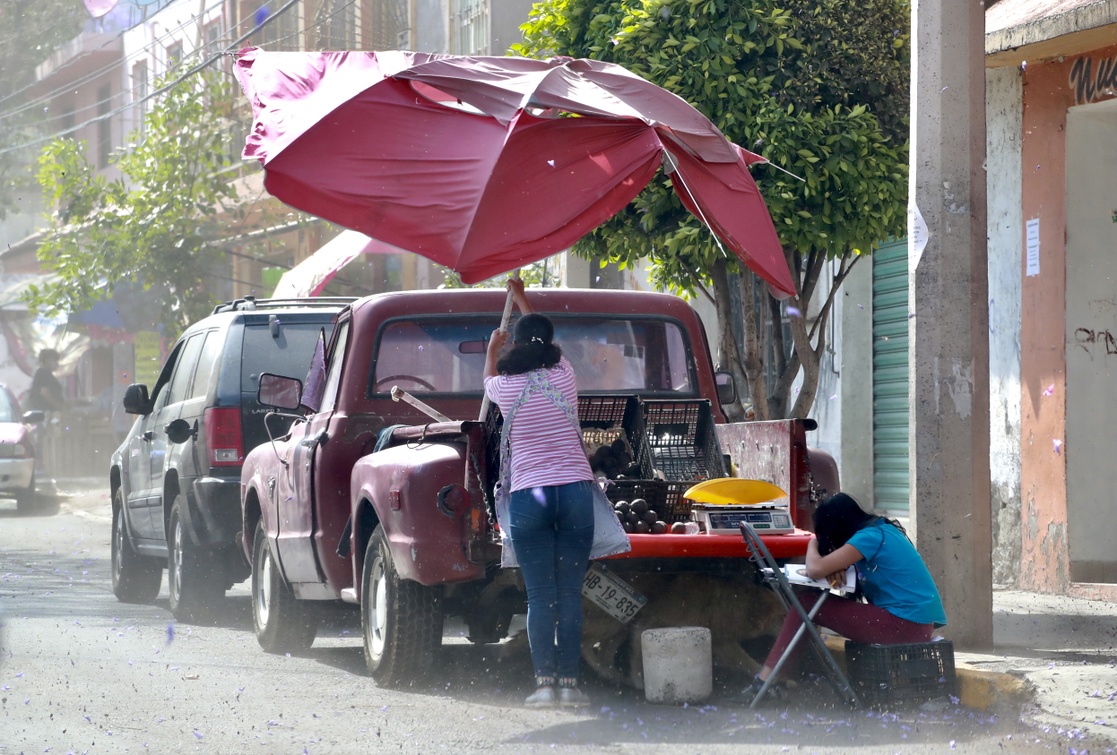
[(403, 620)]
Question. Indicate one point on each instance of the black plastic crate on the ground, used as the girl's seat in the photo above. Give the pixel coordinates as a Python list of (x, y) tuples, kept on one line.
[(915, 673)]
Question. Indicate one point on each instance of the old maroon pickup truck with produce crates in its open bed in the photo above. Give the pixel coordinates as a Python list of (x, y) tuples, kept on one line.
[(387, 504)]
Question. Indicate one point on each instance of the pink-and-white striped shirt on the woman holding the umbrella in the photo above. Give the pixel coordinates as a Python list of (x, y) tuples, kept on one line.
[(546, 447)]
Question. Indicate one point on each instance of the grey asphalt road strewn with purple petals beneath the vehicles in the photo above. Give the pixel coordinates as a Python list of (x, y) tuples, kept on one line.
[(83, 673)]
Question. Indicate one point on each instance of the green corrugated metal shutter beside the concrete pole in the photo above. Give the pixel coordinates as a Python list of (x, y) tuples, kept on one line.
[(891, 477)]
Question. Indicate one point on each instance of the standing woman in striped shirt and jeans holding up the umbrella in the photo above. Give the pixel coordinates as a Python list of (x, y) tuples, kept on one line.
[(551, 506)]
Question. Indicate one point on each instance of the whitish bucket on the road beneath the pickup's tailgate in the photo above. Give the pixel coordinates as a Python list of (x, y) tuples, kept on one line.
[(677, 665)]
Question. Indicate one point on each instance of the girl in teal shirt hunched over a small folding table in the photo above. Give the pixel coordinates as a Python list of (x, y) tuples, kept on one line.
[(903, 606)]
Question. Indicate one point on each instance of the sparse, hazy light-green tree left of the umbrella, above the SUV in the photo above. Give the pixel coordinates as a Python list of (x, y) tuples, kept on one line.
[(159, 226)]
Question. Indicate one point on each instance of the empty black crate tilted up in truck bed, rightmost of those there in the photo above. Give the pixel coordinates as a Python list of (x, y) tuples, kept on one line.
[(682, 442)]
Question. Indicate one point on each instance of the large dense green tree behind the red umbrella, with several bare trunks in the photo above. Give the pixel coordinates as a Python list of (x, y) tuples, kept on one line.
[(818, 88)]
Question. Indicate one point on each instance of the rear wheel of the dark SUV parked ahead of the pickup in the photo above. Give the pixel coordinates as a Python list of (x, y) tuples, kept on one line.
[(193, 575)]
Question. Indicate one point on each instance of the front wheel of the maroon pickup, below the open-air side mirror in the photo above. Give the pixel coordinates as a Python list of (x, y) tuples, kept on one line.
[(283, 624)]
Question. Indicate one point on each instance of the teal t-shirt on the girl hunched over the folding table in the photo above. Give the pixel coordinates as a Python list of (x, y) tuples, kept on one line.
[(893, 576)]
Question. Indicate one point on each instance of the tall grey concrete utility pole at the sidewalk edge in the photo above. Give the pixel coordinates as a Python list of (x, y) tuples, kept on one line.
[(950, 434)]
